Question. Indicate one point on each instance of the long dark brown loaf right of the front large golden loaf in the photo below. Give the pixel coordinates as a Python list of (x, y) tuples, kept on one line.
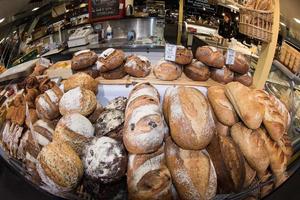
[(229, 163)]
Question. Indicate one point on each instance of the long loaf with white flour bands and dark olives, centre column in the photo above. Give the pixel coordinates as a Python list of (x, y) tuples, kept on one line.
[(144, 126)]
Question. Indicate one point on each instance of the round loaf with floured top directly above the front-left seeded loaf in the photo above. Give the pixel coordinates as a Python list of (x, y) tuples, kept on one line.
[(74, 129)]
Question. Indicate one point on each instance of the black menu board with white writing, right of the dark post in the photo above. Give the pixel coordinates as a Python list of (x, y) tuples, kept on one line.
[(197, 6)]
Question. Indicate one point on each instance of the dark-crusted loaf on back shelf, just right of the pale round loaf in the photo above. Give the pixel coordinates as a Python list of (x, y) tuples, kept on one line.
[(197, 71)]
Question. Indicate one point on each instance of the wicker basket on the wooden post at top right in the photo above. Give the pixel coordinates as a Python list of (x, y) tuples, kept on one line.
[(256, 23)]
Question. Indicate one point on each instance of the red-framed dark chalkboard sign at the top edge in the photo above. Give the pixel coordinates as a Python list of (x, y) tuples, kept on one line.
[(105, 9)]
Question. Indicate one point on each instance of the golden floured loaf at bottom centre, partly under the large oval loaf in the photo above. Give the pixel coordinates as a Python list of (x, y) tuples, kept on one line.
[(192, 172)]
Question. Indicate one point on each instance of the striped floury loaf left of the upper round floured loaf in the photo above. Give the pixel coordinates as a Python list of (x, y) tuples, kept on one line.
[(47, 104)]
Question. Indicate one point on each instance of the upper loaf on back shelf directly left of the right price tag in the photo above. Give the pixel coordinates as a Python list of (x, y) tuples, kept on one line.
[(210, 56)]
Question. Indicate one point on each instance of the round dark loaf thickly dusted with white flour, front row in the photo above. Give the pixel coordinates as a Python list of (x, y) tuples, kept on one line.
[(105, 160)]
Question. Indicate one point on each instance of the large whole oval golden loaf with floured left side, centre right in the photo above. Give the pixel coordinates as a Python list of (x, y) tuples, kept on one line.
[(190, 118)]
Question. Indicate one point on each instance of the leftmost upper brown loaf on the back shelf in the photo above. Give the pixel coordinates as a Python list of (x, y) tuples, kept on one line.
[(83, 59)]
